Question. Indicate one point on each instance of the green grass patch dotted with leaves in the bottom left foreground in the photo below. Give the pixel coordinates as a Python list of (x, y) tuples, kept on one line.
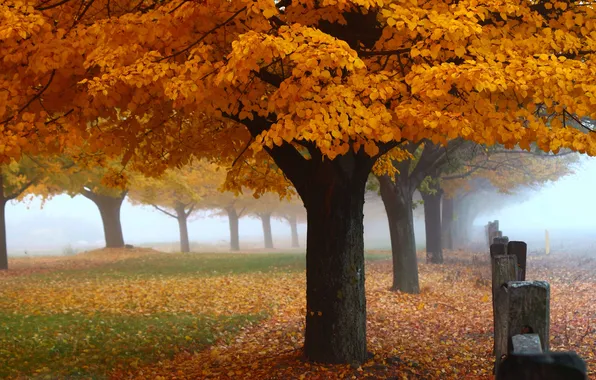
[(61, 345)]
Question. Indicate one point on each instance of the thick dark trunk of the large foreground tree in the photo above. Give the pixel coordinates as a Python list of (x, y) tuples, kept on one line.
[(335, 299)]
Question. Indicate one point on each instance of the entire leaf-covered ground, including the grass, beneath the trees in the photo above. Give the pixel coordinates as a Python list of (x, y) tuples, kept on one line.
[(140, 314)]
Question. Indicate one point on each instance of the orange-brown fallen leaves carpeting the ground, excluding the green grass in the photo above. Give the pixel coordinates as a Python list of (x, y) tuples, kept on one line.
[(445, 332)]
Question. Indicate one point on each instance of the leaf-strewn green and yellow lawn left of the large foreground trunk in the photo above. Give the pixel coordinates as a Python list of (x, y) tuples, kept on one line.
[(84, 322)]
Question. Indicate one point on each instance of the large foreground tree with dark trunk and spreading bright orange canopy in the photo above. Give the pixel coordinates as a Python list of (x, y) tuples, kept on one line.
[(325, 88)]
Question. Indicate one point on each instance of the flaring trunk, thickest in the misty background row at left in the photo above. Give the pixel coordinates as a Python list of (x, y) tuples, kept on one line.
[(109, 209)]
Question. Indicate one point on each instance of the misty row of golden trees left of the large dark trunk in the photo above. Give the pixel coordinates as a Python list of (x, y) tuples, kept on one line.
[(179, 193)]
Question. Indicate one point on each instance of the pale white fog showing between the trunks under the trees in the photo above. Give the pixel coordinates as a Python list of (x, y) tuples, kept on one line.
[(564, 207)]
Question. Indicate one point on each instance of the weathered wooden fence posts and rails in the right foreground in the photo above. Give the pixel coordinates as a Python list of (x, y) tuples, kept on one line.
[(521, 311)]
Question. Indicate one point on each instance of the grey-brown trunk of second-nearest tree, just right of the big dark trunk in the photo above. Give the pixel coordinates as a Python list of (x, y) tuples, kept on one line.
[(397, 198)]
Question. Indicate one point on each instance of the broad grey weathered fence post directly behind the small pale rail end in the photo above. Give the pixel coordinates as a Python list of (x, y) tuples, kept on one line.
[(521, 307)]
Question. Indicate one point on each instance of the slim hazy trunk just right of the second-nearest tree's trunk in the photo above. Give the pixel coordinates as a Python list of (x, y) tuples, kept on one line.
[(432, 224)]
